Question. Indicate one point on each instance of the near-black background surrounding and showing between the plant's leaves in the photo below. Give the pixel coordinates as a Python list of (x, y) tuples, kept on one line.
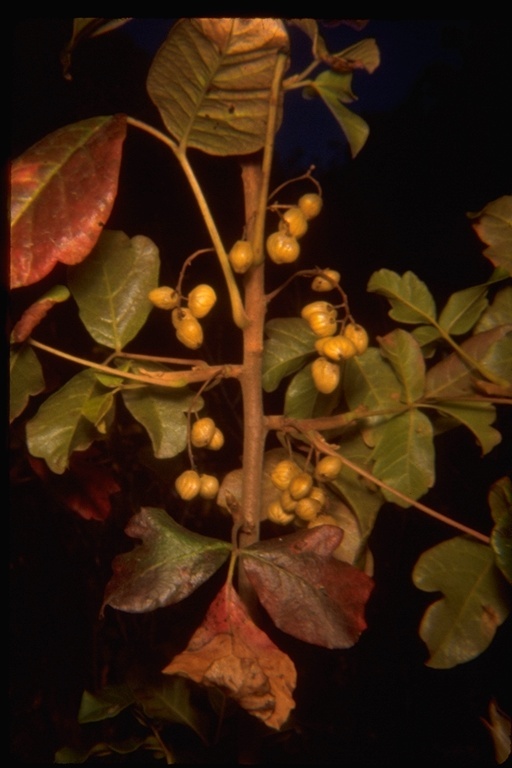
[(439, 147)]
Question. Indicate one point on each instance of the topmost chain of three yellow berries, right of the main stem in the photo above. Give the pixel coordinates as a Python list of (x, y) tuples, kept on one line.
[(283, 246)]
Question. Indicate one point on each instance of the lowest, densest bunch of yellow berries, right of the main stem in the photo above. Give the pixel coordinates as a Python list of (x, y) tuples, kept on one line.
[(300, 498)]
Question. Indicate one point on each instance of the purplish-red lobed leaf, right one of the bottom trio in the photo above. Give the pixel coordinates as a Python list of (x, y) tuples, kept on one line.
[(306, 591)]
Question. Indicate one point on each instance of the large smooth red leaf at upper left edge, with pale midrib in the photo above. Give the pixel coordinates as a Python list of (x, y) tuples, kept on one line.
[(62, 192)]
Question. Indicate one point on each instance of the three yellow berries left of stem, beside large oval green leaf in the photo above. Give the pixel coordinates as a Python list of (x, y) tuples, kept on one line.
[(186, 320)]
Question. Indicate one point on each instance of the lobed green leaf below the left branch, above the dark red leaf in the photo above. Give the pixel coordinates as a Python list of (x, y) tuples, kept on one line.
[(60, 426)]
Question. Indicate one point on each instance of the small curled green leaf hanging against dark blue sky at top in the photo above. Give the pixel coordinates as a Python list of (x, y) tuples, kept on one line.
[(335, 88)]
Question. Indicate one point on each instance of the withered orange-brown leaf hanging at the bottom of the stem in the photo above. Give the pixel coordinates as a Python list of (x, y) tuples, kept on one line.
[(229, 652)]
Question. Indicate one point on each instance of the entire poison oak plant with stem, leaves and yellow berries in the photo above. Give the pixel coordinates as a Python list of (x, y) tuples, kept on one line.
[(359, 420)]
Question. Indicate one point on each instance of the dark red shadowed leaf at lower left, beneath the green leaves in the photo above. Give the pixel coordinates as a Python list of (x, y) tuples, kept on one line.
[(85, 488)]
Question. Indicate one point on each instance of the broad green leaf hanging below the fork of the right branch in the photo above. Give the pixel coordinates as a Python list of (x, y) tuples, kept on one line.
[(404, 455)]
